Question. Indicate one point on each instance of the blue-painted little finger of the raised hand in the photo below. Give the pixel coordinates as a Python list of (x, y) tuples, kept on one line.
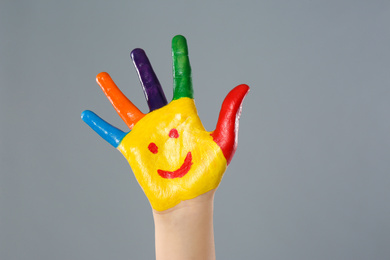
[(108, 132)]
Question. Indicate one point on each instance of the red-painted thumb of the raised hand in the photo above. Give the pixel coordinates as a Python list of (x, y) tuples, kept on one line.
[(226, 132)]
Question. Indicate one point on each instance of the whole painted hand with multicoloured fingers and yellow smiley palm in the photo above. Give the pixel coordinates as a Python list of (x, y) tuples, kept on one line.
[(172, 155)]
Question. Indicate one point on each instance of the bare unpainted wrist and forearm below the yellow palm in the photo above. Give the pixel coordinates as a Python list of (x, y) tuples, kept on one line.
[(186, 230)]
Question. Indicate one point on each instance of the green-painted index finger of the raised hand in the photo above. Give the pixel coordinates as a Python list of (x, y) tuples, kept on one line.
[(182, 81)]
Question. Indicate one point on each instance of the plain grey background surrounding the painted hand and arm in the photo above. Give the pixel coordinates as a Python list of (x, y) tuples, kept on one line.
[(310, 179)]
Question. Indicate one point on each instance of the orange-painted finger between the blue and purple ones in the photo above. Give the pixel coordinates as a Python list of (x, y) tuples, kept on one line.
[(129, 113)]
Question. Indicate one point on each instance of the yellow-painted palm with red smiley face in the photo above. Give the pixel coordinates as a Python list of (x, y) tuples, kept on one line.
[(172, 155)]
